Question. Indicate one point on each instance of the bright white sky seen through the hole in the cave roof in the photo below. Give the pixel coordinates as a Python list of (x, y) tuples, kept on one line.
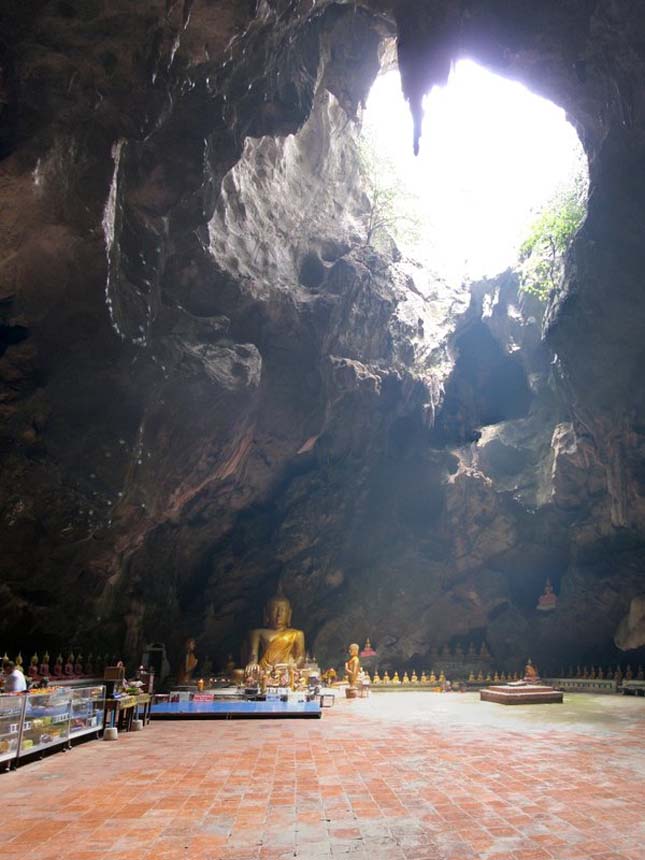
[(492, 154)]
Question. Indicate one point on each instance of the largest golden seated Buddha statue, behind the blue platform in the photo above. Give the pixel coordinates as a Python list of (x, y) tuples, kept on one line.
[(276, 643)]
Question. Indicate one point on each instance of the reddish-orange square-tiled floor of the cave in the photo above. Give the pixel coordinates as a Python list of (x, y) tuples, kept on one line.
[(405, 776)]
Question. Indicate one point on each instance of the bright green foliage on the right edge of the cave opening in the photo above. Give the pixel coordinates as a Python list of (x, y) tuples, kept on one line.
[(542, 252)]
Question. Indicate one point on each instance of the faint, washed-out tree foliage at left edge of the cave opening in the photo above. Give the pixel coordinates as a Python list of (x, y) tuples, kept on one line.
[(393, 211)]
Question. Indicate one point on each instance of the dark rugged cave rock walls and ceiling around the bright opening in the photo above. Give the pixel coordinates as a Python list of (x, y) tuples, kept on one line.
[(214, 389)]
